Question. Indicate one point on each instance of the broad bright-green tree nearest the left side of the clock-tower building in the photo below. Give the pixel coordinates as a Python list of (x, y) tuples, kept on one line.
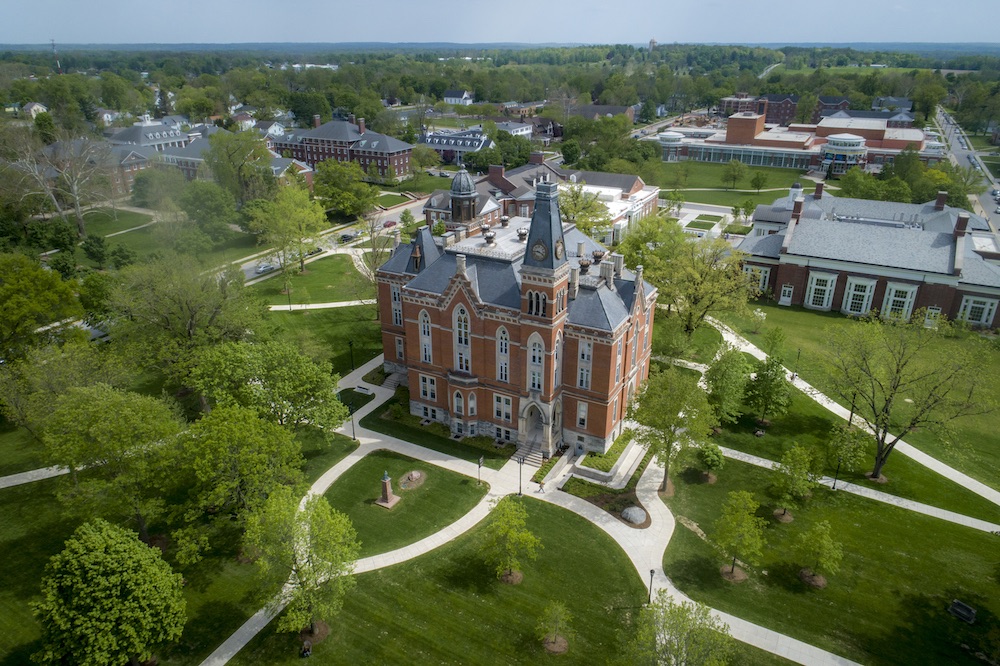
[(273, 379)]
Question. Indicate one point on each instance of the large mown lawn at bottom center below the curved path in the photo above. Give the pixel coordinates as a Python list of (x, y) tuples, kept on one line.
[(447, 607)]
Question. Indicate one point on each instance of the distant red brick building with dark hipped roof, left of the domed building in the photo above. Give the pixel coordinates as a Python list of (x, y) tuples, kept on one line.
[(346, 141)]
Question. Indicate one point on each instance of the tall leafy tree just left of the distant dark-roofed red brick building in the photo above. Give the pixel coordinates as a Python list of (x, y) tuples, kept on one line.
[(241, 163)]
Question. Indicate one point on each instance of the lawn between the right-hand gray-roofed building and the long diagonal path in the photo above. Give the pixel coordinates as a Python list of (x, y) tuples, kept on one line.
[(975, 450)]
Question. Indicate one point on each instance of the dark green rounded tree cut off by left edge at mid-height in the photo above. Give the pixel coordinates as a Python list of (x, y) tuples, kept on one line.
[(30, 299)]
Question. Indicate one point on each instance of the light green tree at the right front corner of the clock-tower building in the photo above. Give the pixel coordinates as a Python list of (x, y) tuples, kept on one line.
[(671, 410)]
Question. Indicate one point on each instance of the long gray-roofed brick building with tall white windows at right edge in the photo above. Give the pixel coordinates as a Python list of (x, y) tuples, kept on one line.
[(859, 256)]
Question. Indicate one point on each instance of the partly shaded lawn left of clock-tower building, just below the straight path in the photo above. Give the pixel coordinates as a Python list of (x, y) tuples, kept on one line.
[(326, 333)]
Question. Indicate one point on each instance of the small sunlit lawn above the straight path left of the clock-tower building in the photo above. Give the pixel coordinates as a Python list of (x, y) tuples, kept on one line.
[(327, 280)]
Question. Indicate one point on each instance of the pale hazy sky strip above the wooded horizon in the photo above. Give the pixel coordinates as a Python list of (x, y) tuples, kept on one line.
[(585, 21)]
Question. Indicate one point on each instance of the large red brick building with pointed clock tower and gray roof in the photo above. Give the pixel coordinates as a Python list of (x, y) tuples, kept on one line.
[(527, 331)]
